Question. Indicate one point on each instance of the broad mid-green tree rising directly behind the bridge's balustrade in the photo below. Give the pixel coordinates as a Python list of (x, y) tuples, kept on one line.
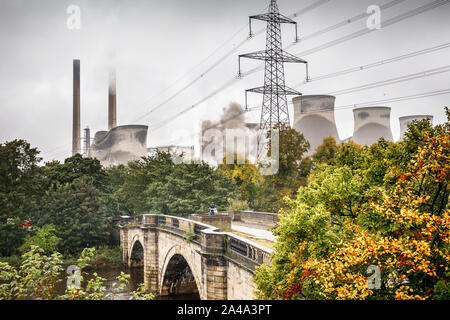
[(158, 185)]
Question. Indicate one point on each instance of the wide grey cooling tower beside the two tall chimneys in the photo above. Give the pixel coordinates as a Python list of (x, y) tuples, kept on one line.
[(120, 145)]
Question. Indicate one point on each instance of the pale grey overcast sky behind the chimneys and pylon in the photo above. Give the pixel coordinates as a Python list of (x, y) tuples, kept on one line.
[(159, 46)]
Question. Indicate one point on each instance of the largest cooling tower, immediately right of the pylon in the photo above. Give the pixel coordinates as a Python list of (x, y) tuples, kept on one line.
[(314, 118)]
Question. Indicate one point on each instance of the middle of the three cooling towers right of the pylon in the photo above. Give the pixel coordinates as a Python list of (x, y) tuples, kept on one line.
[(371, 124)]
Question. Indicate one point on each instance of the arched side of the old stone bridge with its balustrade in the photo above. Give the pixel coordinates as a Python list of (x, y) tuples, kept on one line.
[(182, 256)]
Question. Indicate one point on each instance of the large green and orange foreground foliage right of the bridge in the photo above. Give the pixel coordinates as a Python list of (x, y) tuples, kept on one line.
[(383, 206)]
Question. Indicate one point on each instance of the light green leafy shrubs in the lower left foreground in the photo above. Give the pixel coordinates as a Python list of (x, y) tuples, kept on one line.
[(38, 275)]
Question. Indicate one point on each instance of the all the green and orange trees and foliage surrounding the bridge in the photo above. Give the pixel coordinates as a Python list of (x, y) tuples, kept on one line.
[(346, 210)]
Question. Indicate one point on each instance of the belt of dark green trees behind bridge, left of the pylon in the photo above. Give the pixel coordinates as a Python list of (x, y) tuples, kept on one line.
[(80, 199)]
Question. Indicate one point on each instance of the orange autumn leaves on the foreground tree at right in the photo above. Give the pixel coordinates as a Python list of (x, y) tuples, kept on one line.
[(413, 254)]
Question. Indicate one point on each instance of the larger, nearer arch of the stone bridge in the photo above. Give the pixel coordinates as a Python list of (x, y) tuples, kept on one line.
[(179, 276)]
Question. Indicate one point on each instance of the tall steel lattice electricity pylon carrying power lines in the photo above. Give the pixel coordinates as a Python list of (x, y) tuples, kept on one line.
[(274, 106)]
